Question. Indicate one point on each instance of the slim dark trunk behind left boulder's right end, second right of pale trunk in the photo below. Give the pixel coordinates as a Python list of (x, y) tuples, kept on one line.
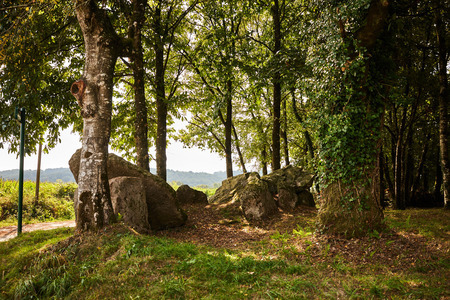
[(161, 105)]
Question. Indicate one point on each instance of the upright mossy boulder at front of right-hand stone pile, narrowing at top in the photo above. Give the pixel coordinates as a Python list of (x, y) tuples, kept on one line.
[(256, 200)]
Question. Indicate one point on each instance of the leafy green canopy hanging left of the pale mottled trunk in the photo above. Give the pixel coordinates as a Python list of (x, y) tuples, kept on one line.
[(39, 54)]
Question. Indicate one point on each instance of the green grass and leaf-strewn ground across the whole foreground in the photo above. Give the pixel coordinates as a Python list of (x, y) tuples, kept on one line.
[(116, 263)]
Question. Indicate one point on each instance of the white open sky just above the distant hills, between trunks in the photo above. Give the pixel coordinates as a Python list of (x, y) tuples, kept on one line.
[(178, 158)]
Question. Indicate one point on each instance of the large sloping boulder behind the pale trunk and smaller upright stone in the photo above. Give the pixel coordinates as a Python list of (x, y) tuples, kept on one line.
[(162, 207)]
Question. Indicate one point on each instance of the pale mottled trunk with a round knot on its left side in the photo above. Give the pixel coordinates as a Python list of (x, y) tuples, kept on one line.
[(94, 94)]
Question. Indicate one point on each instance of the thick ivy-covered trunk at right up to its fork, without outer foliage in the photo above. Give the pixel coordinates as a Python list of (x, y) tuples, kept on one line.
[(349, 136)]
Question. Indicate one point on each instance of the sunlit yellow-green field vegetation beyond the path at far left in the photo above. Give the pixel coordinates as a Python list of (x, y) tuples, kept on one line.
[(55, 202)]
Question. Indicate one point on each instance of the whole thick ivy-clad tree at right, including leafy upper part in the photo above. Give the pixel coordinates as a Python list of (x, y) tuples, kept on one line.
[(350, 110)]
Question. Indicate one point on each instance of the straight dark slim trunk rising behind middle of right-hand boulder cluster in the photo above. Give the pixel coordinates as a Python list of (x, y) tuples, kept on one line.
[(276, 81)]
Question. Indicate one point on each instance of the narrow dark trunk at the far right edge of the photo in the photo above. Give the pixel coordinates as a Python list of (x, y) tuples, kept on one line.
[(443, 103)]
